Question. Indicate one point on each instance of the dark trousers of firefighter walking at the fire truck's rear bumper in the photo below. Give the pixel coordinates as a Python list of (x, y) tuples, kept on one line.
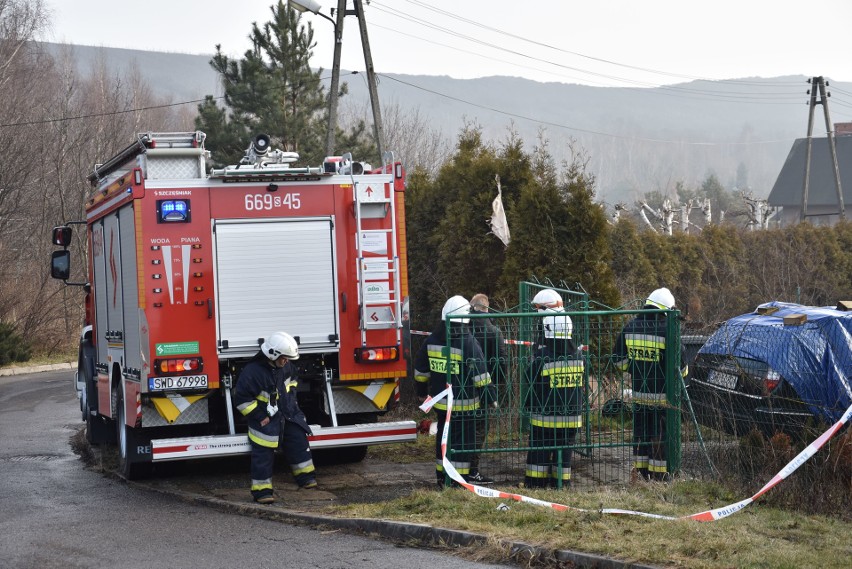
[(294, 445)]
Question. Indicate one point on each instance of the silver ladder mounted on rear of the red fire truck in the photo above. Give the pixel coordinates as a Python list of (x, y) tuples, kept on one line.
[(380, 308)]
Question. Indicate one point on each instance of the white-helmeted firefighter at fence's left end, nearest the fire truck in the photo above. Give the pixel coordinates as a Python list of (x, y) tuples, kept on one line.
[(451, 355)]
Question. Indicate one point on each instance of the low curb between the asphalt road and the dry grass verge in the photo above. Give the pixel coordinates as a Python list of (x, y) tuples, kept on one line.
[(405, 532)]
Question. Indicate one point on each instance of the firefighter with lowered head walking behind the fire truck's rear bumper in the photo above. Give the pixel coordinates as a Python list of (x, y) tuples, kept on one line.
[(266, 395)]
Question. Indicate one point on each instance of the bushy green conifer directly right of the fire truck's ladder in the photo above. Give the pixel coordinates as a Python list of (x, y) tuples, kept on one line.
[(455, 252)]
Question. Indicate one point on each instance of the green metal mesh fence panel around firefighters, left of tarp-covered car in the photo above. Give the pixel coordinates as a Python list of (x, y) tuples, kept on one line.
[(558, 412)]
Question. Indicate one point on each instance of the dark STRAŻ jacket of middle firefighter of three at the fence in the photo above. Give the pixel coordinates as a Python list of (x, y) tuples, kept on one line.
[(556, 382)]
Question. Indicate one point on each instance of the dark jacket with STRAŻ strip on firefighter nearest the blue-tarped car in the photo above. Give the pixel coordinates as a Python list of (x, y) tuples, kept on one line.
[(641, 351)]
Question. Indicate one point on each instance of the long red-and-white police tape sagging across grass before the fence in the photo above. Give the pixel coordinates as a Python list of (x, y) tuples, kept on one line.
[(707, 516)]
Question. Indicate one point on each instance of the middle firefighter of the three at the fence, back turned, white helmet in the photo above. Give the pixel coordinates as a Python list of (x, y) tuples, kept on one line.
[(554, 403)]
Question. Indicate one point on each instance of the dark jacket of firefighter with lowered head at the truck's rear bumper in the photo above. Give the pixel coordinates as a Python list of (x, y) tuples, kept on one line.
[(261, 385)]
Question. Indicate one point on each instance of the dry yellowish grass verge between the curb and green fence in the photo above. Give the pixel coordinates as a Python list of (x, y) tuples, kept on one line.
[(758, 536)]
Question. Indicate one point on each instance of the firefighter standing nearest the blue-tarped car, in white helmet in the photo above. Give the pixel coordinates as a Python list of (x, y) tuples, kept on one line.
[(641, 351)]
